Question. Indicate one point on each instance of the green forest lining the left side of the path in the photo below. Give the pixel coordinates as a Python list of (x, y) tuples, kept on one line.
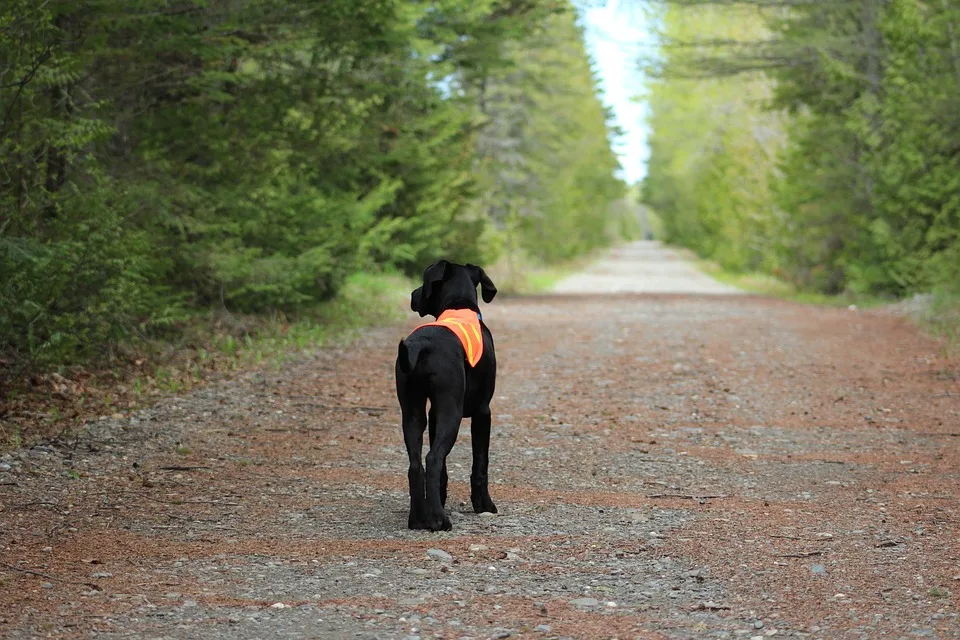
[(163, 158)]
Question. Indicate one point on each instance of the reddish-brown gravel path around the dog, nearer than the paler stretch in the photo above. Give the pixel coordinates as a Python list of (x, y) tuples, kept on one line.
[(667, 466)]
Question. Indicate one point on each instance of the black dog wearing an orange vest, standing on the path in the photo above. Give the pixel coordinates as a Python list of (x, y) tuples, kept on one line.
[(433, 364)]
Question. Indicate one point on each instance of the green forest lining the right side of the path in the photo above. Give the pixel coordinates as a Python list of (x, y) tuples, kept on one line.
[(815, 141)]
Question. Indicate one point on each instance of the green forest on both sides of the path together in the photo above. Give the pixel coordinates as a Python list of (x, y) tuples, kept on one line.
[(167, 163)]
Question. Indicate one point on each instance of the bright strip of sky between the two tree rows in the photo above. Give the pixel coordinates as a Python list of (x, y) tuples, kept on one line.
[(614, 35)]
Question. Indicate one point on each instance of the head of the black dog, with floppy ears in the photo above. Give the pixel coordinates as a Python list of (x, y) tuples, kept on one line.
[(447, 285)]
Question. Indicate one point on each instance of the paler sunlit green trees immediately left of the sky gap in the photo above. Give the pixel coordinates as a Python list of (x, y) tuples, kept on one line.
[(548, 169)]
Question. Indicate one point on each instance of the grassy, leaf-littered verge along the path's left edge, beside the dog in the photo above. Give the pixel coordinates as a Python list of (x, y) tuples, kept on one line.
[(210, 347)]
